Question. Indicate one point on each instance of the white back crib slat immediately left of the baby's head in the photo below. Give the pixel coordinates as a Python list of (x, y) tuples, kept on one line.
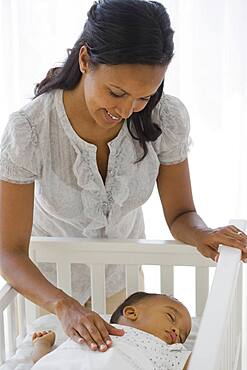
[(98, 296)]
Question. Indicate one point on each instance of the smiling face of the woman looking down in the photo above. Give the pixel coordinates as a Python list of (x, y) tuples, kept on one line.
[(111, 93)]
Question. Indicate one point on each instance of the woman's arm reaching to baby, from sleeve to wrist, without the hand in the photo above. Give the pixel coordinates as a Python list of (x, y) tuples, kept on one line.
[(16, 217)]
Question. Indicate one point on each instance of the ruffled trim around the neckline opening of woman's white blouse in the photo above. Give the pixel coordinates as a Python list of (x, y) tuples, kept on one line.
[(102, 204)]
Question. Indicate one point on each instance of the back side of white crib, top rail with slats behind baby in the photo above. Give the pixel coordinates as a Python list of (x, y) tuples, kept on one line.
[(132, 253)]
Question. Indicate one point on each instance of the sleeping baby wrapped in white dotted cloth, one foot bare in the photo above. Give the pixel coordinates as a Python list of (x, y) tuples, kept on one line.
[(155, 327)]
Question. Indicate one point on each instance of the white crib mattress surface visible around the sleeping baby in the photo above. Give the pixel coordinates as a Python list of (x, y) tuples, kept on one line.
[(22, 358)]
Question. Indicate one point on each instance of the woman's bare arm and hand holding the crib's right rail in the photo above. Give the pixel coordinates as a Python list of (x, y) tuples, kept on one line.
[(185, 224)]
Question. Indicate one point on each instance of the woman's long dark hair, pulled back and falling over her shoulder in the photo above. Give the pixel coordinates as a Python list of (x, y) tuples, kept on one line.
[(120, 32)]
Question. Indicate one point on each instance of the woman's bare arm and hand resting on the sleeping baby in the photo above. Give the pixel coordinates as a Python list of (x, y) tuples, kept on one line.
[(16, 218)]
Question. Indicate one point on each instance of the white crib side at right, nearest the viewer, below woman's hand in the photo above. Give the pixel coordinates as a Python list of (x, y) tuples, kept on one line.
[(218, 343)]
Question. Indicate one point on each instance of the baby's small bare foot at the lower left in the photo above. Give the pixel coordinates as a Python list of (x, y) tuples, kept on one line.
[(43, 342)]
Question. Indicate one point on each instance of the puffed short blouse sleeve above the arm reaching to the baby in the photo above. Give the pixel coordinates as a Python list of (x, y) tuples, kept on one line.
[(20, 160)]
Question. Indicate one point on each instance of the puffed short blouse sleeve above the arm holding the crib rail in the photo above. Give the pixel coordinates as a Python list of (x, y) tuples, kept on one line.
[(172, 117)]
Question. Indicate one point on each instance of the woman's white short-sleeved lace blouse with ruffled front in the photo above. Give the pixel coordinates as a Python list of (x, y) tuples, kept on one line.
[(39, 145)]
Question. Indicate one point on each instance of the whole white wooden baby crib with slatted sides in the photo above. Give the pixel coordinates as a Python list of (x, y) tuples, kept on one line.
[(219, 341)]
